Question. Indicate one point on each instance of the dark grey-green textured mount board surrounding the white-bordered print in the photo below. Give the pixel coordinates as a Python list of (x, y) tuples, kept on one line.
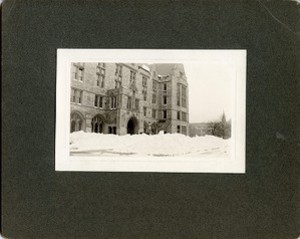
[(38, 202)]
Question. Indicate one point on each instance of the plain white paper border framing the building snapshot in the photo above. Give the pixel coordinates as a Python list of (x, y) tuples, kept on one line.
[(235, 59)]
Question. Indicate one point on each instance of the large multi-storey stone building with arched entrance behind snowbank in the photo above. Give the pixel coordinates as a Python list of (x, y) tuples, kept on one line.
[(124, 98)]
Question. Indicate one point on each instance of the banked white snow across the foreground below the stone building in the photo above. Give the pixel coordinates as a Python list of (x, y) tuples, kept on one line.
[(92, 144)]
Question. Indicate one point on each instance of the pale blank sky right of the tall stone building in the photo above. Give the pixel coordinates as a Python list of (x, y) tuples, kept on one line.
[(210, 85)]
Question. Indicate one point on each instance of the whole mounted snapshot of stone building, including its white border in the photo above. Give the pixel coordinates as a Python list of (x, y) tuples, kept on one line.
[(151, 110)]
